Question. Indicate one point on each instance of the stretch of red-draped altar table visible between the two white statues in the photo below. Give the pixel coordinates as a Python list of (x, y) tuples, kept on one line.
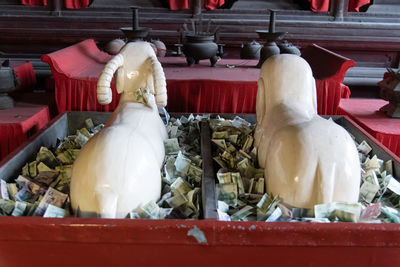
[(230, 87)]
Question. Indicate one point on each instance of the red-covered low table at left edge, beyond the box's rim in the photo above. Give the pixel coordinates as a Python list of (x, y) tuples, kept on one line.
[(18, 123)]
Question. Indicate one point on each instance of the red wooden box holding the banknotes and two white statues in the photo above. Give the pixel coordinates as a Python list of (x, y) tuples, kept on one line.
[(36, 241)]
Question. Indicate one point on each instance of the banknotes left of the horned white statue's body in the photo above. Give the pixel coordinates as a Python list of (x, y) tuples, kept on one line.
[(42, 188)]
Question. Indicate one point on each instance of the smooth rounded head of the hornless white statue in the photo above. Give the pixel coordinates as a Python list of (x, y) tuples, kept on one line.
[(294, 91)]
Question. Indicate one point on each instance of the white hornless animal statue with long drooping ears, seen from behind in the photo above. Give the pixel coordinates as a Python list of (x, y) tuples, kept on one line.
[(308, 160)]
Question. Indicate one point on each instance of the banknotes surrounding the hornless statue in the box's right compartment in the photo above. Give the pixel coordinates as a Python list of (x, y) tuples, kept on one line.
[(240, 187)]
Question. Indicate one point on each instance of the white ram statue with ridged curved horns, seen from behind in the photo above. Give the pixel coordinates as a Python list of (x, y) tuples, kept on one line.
[(118, 169)]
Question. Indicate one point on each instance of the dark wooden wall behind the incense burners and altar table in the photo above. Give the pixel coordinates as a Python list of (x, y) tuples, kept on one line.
[(370, 38)]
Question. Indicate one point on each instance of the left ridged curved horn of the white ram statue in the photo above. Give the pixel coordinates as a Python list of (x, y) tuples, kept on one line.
[(104, 94)]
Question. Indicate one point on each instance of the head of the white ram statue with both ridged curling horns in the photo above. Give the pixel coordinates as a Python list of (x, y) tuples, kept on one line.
[(137, 67)]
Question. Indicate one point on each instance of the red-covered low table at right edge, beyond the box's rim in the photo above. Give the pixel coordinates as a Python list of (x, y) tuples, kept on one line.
[(365, 112)]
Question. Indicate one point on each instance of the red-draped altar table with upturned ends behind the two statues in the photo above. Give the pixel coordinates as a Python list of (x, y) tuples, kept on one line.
[(230, 87)]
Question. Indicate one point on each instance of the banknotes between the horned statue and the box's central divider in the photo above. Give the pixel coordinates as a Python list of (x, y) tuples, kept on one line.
[(181, 174)]
